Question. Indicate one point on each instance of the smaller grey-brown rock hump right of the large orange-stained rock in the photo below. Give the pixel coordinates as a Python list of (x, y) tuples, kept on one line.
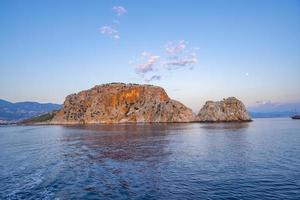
[(228, 110)]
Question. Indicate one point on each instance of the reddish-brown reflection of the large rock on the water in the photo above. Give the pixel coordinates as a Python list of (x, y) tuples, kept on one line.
[(121, 141)]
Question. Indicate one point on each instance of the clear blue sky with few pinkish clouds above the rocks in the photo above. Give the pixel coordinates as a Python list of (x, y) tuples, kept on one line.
[(196, 50)]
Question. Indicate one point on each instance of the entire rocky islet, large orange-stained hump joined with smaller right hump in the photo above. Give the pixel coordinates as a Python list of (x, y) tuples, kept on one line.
[(134, 103)]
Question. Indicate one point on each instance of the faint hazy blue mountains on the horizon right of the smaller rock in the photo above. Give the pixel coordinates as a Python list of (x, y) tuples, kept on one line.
[(269, 109)]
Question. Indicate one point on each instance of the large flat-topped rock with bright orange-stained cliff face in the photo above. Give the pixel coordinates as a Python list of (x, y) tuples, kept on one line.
[(119, 102)]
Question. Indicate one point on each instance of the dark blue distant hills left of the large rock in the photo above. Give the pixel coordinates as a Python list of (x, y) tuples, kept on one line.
[(12, 112)]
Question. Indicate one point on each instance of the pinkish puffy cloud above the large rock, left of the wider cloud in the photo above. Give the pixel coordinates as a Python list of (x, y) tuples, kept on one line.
[(148, 62)]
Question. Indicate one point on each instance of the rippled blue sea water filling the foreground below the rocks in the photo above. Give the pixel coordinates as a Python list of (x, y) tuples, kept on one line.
[(257, 160)]
